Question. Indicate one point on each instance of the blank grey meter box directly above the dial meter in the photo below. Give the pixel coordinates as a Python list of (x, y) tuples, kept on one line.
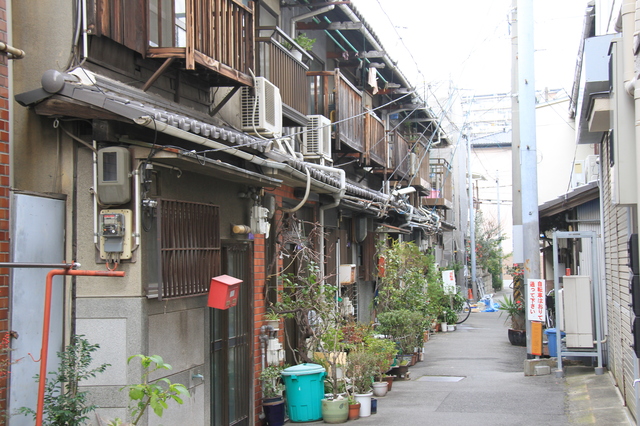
[(114, 165)]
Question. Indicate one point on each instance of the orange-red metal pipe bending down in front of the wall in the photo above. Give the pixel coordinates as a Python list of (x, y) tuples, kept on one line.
[(46, 324)]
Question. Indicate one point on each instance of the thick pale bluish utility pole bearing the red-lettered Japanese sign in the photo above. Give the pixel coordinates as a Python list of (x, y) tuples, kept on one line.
[(528, 148)]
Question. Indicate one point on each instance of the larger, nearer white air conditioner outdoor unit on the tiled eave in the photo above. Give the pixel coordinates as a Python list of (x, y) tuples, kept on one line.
[(261, 108)]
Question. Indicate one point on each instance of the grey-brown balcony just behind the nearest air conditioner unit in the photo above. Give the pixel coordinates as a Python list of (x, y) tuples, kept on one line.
[(280, 67)]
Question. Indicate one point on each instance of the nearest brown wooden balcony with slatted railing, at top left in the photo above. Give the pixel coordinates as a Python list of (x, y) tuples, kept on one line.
[(217, 36)]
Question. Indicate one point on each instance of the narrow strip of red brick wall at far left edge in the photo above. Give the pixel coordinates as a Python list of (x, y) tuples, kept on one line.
[(4, 211)]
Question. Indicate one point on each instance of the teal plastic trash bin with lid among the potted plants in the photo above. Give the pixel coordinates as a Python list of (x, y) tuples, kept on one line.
[(304, 386)]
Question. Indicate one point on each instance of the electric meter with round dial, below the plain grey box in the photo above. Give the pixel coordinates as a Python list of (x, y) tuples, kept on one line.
[(115, 235)]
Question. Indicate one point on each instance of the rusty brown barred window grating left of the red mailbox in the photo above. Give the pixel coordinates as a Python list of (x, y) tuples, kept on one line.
[(189, 247)]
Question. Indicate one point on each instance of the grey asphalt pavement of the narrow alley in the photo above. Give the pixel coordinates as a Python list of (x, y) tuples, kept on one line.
[(473, 376)]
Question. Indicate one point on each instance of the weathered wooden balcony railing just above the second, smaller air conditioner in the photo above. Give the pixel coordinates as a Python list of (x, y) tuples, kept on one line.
[(334, 96)]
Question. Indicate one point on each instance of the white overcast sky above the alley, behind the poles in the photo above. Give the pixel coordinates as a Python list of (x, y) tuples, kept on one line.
[(468, 42)]
